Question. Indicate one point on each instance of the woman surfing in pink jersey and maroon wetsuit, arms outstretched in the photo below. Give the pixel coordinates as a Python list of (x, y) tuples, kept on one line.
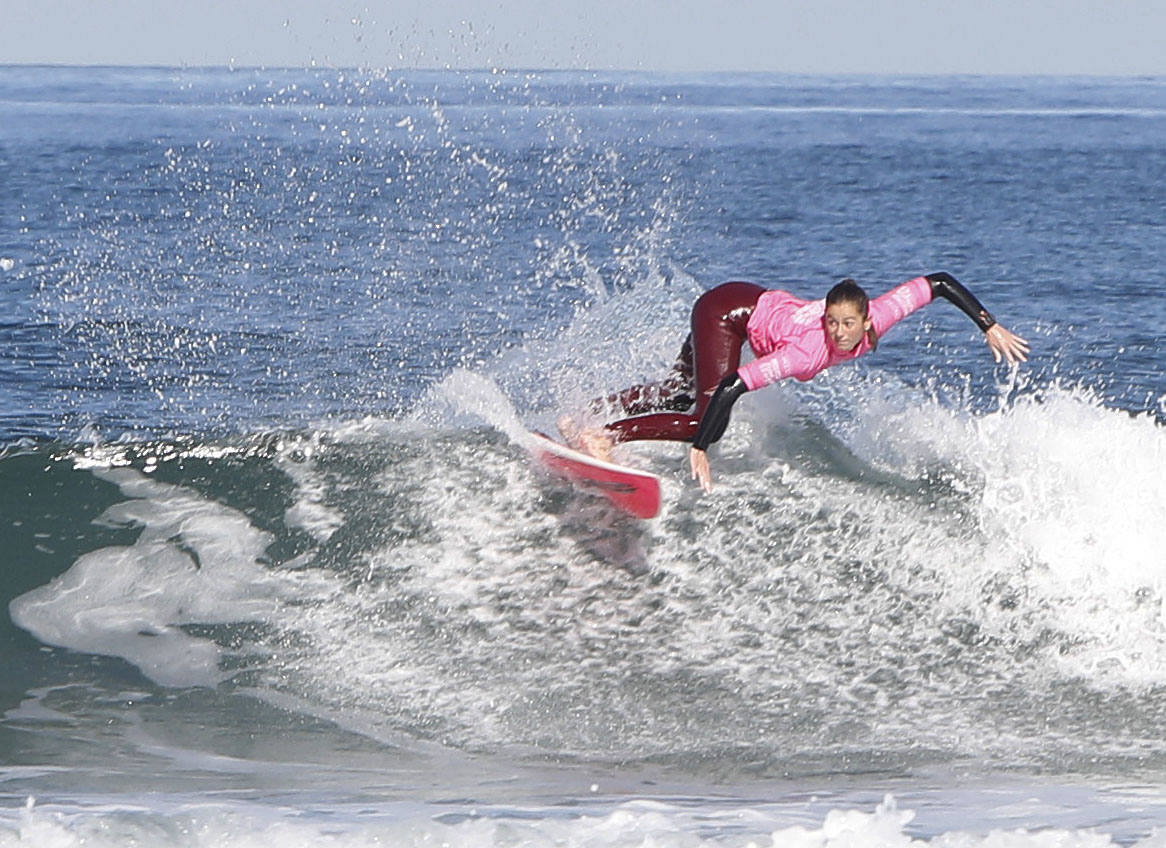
[(790, 338)]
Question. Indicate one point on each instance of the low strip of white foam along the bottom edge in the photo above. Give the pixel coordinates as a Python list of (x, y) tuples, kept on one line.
[(633, 824)]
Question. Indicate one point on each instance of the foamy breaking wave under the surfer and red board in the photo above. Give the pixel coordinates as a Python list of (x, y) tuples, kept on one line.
[(880, 581)]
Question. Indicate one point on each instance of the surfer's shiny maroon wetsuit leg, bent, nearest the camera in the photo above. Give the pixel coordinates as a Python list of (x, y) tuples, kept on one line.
[(720, 320)]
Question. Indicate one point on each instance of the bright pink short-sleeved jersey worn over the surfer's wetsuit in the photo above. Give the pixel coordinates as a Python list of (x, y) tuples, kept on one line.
[(789, 335)]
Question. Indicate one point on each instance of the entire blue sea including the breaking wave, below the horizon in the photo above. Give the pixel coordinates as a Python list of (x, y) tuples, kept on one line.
[(277, 566)]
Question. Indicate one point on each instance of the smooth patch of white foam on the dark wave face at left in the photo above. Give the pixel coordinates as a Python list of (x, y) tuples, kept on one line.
[(195, 563)]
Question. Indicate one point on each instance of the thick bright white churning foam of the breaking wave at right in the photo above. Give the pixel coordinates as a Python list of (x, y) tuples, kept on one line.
[(1072, 510)]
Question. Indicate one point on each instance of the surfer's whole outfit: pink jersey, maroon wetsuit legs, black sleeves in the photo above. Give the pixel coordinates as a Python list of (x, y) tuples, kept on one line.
[(789, 339)]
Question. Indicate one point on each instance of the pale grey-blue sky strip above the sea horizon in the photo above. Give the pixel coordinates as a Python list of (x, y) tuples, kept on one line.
[(1107, 38)]
